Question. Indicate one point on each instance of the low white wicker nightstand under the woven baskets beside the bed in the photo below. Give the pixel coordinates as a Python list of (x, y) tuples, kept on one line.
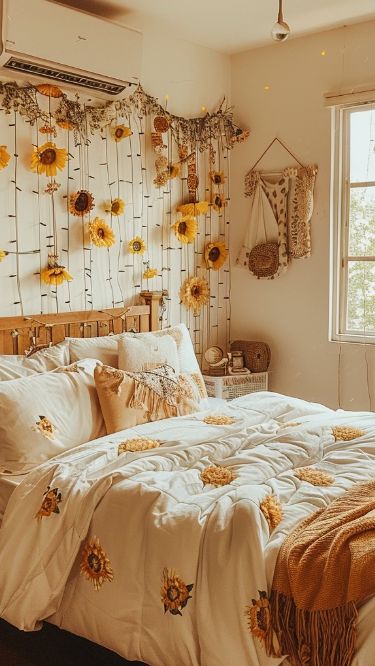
[(233, 386)]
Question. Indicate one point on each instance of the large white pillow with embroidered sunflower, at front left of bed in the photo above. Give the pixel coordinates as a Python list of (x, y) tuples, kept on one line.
[(46, 414)]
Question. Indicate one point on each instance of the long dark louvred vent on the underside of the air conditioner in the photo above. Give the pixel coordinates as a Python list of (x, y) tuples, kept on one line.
[(64, 77)]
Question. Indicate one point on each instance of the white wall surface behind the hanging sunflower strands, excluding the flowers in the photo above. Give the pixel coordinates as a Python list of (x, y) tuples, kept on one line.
[(107, 277)]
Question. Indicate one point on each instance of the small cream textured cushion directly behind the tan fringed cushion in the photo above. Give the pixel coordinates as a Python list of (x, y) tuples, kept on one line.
[(144, 352)]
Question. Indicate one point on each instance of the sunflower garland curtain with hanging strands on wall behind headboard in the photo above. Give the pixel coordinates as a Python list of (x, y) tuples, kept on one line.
[(100, 200)]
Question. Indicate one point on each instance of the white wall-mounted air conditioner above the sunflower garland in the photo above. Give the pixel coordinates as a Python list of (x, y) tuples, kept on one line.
[(49, 41)]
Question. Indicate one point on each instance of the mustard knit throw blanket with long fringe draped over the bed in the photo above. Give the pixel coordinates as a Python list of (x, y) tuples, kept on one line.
[(324, 571)]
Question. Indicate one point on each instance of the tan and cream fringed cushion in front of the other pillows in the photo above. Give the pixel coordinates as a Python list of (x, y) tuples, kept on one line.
[(128, 399)]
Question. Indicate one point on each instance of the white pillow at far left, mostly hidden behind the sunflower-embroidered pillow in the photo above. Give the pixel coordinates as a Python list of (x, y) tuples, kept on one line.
[(13, 367)]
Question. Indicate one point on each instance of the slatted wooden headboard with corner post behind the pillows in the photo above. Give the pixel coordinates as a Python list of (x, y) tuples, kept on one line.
[(20, 334)]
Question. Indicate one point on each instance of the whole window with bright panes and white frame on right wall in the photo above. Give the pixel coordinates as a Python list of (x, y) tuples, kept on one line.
[(353, 215)]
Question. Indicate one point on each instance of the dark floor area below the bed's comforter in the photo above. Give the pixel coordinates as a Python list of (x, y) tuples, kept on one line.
[(53, 646)]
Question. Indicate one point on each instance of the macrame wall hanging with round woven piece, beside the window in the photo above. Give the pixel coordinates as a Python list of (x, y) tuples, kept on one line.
[(280, 213)]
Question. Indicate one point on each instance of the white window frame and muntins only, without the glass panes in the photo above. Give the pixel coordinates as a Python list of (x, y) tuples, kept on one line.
[(339, 232)]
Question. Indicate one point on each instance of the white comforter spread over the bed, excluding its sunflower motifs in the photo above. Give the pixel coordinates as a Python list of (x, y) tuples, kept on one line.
[(151, 512)]
